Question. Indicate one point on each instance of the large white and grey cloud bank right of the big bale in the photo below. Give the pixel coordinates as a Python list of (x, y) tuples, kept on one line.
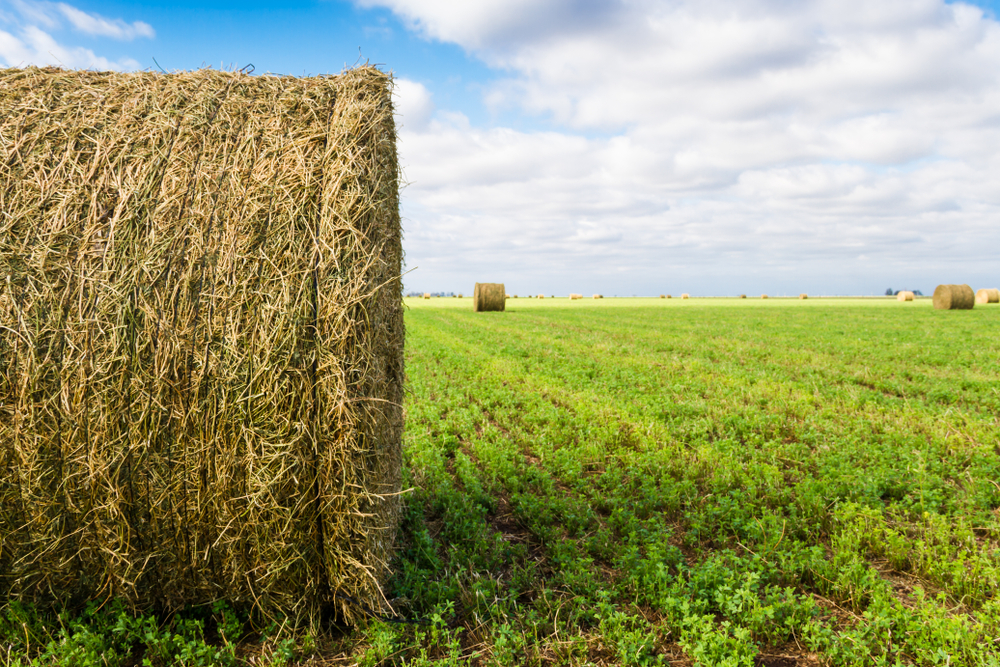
[(712, 139)]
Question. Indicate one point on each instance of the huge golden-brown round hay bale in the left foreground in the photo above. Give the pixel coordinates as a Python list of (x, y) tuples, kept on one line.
[(201, 368)]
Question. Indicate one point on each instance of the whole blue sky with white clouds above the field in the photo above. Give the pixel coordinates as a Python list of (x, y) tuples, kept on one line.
[(632, 147)]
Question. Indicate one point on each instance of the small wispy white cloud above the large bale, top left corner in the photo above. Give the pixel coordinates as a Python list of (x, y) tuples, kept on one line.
[(28, 36)]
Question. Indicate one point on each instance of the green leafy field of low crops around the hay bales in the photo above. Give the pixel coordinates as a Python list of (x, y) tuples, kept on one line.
[(643, 482)]
